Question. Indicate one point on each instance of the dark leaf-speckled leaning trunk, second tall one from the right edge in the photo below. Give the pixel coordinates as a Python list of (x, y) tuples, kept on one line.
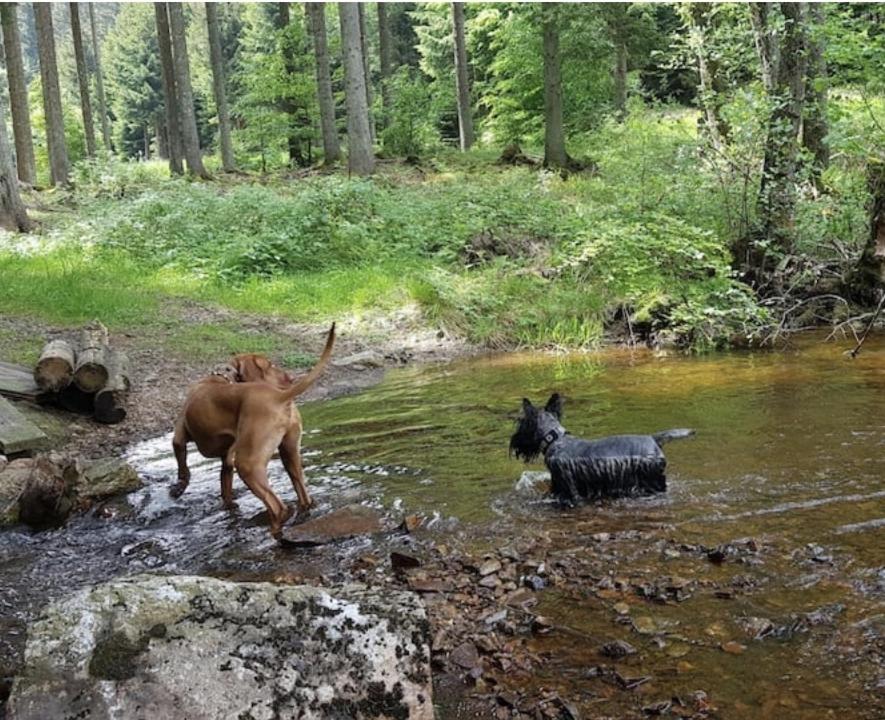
[(777, 194)]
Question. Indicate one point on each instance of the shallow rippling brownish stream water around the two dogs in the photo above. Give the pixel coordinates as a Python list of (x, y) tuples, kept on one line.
[(787, 472)]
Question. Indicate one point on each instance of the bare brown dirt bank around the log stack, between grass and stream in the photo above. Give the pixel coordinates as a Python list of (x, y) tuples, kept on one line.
[(162, 369)]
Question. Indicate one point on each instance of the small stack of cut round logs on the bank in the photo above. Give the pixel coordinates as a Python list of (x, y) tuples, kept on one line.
[(88, 377)]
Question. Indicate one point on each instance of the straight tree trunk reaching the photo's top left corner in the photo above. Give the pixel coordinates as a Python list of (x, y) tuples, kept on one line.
[(18, 95)]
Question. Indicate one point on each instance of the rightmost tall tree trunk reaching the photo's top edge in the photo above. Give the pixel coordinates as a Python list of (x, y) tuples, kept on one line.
[(815, 126)]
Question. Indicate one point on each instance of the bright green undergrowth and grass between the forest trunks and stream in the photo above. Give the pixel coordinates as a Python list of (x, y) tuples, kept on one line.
[(504, 256)]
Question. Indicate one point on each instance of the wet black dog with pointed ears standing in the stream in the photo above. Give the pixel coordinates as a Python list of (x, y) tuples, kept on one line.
[(609, 467)]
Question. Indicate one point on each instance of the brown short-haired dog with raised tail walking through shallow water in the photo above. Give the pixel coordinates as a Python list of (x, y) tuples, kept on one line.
[(244, 420)]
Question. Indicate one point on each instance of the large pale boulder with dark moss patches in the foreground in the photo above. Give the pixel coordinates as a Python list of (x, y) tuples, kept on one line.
[(152, 647)]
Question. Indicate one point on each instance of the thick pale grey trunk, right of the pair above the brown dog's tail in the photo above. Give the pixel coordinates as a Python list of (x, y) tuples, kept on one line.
[(360, 159)]
